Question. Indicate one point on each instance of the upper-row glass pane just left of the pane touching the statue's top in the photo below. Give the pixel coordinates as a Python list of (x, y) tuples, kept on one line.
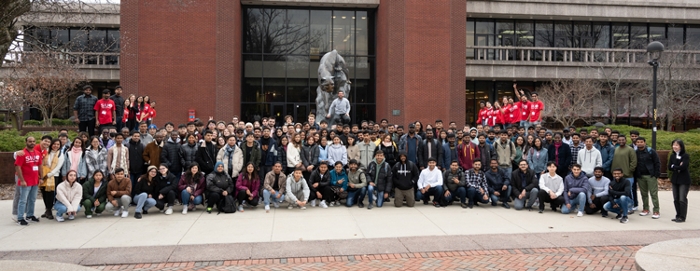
[(297, 25)]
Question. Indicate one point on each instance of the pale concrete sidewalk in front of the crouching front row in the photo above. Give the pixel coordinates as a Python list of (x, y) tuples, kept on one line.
[(255, 232)]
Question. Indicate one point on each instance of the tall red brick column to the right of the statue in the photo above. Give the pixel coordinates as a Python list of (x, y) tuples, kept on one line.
[(421, 60)]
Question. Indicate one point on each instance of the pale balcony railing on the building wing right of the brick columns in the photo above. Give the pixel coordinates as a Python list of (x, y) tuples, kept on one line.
[(585, 55)]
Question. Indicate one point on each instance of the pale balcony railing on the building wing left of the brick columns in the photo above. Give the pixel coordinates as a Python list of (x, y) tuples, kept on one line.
[(87, 59)]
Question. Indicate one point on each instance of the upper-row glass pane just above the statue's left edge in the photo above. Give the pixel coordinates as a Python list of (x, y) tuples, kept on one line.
[(320, 37)]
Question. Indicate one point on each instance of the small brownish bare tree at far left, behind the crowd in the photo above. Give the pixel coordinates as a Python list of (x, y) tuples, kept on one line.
[(44, 82)]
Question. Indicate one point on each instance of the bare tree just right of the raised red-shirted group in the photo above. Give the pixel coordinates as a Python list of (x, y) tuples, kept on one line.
[(569, 100)]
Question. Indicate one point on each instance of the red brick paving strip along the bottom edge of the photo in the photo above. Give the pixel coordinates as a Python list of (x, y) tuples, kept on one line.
[(575, 258)]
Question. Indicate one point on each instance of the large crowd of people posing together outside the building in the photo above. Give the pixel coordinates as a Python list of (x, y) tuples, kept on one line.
[(507, 157)]
